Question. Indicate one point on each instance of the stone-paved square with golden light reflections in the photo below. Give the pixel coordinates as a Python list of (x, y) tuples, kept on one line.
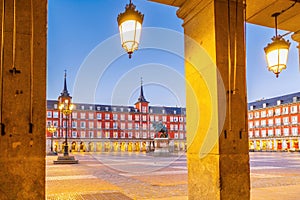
[(142, 176)]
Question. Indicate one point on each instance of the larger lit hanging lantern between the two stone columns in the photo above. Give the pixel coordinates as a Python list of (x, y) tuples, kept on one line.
[(130, 27)]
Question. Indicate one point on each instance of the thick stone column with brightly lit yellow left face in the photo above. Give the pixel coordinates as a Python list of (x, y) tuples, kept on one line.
[(216, 99)]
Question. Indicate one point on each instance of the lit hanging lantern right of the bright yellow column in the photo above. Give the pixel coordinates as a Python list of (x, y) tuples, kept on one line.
[(277, 54)]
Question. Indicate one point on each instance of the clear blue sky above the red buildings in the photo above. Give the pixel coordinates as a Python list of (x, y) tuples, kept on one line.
[(86, 31)]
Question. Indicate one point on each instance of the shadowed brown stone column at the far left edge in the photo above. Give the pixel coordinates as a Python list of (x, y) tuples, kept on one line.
[(22, 99)]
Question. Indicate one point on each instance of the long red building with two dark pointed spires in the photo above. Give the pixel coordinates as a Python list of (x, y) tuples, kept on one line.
[(95, 127)]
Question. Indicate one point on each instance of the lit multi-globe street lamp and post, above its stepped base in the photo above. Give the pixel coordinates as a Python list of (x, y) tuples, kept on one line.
[(66, 108)]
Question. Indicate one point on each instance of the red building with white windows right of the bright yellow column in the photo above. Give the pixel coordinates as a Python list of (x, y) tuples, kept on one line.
[(273, 124)]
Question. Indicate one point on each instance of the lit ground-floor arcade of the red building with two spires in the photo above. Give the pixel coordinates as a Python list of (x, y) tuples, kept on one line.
[(105, 145)]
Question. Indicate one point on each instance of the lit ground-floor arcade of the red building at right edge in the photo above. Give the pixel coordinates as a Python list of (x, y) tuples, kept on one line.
[(275, 144)]
